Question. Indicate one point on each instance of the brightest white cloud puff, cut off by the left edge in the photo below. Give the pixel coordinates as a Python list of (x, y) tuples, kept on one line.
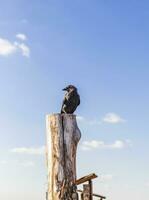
[(6, 47)]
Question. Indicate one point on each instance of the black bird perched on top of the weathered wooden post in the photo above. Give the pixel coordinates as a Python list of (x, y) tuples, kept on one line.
[(71, 100)]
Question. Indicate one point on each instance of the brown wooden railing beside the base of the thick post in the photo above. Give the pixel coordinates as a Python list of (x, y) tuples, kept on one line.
[(87, 192)]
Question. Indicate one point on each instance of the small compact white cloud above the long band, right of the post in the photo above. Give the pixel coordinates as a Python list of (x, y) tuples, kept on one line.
[(113, 118)]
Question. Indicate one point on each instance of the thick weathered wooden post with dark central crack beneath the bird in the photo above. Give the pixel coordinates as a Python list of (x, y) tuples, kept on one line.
[(63, 136)]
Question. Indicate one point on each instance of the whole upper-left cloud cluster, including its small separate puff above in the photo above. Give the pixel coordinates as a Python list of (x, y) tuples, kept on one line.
[(8, 48)]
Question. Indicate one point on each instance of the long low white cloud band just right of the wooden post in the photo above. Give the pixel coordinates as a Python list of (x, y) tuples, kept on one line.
[(96, 144)]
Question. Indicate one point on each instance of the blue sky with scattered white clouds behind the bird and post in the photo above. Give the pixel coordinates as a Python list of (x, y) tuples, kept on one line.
[(102, 48)]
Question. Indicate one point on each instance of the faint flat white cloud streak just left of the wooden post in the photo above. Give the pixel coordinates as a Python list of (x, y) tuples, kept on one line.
[(29, 150)]
